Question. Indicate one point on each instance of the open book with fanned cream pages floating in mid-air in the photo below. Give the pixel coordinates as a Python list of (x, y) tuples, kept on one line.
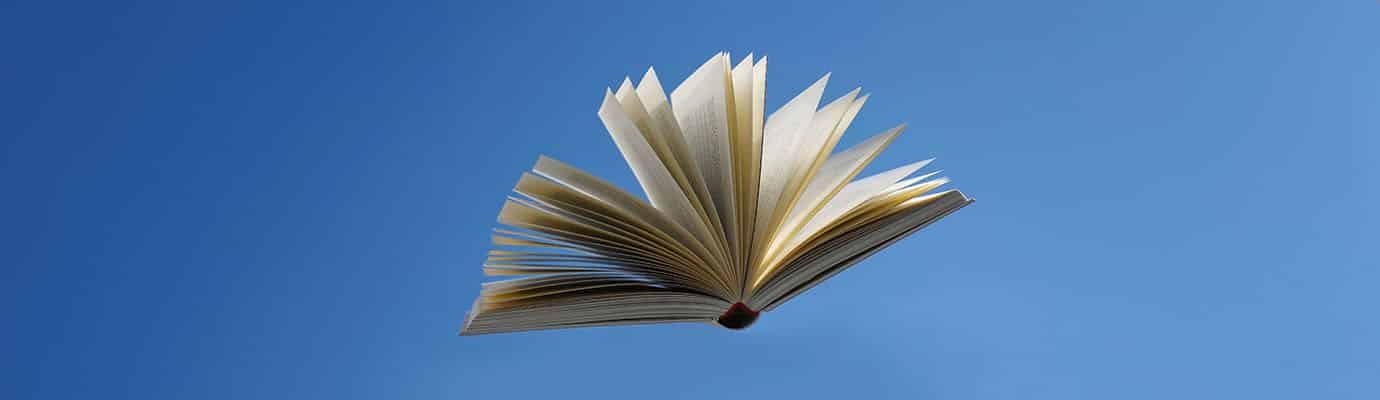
[(745, 210)]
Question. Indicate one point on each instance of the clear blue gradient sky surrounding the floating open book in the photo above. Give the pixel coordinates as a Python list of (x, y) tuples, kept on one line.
[(234, 201)]
